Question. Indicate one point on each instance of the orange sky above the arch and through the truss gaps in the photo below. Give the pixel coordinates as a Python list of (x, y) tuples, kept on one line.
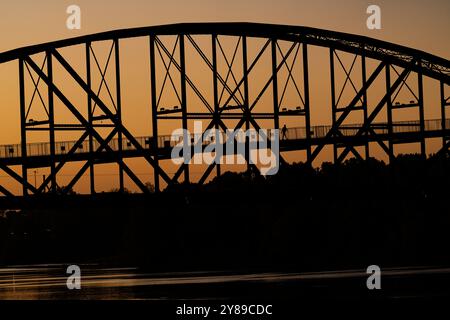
[(418, 24)]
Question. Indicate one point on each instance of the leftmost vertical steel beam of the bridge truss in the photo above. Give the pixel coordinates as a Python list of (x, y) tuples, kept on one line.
[(23, 123)]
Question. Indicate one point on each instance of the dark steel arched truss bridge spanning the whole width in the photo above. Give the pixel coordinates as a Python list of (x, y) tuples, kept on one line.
[(231, 100)]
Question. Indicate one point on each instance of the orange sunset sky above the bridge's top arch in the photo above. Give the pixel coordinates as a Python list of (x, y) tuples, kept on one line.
[(420, 24)]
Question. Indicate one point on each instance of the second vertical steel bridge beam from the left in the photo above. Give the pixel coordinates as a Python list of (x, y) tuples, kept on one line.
[(51, 118)]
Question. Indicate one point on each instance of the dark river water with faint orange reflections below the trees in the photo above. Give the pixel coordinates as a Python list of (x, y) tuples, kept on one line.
[(48, 282)]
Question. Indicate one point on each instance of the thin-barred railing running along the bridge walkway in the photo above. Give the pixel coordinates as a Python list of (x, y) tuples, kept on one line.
[(298, 133)]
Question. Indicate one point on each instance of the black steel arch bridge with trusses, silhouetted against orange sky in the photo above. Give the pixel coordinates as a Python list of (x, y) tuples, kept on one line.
[(342, 136)]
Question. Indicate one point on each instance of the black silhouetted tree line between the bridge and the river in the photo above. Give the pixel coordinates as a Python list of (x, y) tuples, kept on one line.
[(347, 215)]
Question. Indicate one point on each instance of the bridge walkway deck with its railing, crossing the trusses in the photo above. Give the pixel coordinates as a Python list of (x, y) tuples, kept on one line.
[(38, 154)]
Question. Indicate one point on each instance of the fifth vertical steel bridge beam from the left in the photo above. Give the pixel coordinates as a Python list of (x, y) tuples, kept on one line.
[(154, 102)]
